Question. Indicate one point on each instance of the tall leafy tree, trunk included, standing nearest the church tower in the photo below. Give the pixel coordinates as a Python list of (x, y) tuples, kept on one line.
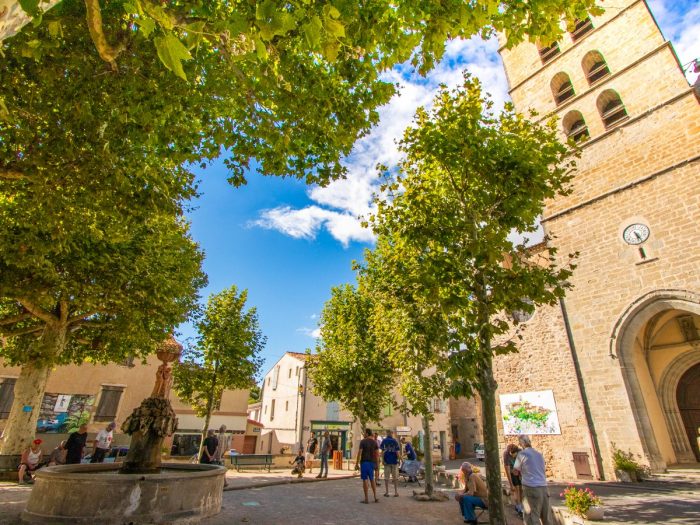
[(469, 179)]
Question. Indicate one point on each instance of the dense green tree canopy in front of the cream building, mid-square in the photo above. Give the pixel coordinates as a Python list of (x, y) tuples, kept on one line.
[(348, 366)]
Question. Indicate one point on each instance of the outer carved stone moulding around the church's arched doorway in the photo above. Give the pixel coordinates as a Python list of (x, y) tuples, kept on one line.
[(629, 324)]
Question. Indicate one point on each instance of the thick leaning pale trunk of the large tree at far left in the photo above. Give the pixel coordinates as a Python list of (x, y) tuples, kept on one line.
[(29, 391)]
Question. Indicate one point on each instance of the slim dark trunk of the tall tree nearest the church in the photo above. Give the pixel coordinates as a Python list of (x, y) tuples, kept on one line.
[(492, 460)]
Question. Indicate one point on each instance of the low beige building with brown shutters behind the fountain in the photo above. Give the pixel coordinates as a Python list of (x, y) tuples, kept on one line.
[(98, 394)]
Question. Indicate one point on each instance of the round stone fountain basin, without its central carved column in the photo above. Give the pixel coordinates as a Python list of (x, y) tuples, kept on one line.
[(97, 493)]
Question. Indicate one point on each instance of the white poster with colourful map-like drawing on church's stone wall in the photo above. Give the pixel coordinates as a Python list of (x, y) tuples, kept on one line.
[(529, 413)]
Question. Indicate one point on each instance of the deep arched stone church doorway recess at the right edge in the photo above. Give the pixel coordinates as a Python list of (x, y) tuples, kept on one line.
[(657, 341)]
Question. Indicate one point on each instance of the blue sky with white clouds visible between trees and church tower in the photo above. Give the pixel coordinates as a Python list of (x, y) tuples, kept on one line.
[(289, 243)]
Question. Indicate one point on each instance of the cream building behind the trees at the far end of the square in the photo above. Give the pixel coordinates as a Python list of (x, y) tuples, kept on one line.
[(291, 411)]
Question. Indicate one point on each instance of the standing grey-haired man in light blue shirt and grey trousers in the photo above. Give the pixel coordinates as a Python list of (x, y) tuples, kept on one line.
[(529, 464)]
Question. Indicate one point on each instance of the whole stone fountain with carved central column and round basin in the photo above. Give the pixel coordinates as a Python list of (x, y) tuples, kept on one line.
[(141, 490)]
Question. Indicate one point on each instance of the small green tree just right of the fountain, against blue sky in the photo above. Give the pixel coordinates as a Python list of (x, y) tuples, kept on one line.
[(226, 354)]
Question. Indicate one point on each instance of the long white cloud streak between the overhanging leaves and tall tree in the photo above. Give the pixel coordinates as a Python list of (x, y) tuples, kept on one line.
[(341, 206)]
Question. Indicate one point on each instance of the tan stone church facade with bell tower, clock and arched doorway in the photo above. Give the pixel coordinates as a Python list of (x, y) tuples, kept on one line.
[(621, 354)]
